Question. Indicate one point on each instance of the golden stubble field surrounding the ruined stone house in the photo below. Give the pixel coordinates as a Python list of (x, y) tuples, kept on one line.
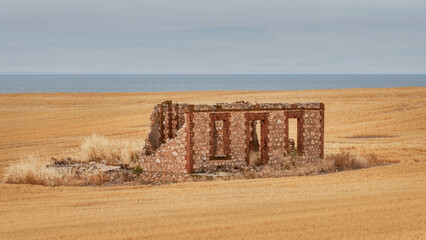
[(387, 202)]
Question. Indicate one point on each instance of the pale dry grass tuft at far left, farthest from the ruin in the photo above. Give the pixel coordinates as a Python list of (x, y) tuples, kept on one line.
[(33, 170)]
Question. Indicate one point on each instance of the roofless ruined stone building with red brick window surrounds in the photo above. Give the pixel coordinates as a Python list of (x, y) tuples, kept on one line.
[(187, 138)]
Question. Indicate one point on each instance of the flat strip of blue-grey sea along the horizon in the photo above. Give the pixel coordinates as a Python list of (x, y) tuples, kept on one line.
[(49, 83)]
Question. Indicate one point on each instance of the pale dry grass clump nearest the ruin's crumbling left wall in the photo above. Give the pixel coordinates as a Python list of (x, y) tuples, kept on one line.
[(114, 152)]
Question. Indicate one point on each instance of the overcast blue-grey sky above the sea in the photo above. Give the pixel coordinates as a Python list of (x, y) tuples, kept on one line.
[(213, 37)]
